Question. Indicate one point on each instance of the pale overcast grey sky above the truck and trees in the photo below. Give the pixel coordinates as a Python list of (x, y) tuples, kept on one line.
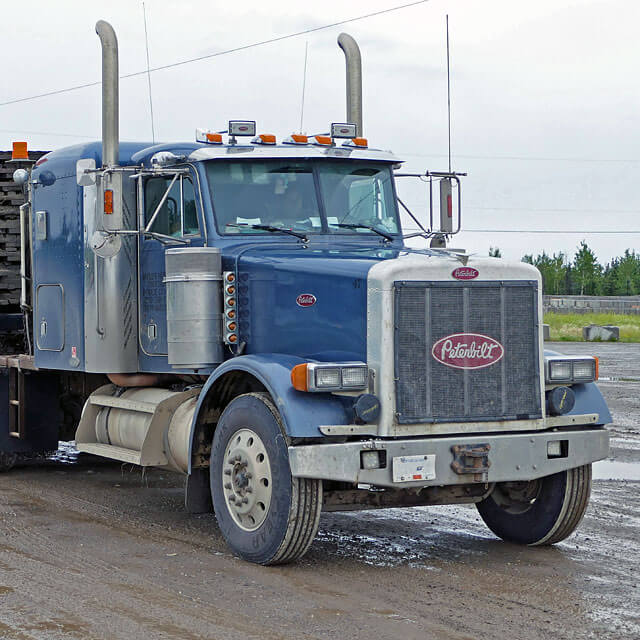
[(545, 95)]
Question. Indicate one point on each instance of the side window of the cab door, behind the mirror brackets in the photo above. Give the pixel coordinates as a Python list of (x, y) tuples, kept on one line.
[(177, 215)]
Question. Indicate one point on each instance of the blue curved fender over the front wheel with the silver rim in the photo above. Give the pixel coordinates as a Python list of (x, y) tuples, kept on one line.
[(302, 413)]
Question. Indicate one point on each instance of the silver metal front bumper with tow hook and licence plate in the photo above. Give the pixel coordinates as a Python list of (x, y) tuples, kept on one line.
[(511, 457)]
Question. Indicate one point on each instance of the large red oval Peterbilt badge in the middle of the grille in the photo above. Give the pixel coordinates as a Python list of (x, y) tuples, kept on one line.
[(467, 351)]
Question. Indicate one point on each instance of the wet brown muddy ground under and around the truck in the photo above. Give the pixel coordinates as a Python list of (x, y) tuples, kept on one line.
[(100, 550)]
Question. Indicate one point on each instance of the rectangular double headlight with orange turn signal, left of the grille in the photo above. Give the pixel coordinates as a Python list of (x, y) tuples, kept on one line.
[(316, 376)]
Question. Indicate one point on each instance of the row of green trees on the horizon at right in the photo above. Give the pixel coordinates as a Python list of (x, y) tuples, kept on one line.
[(584, 275)]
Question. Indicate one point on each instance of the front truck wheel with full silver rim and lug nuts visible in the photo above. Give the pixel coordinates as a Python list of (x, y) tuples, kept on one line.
[(265, 515)]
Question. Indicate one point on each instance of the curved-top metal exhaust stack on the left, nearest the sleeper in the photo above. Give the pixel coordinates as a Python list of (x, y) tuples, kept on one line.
[(110, 97)]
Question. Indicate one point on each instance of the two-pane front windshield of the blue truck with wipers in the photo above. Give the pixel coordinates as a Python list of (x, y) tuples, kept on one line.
[(355, 197)]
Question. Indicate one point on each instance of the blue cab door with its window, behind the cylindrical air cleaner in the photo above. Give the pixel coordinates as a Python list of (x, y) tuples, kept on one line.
[(171, 217)]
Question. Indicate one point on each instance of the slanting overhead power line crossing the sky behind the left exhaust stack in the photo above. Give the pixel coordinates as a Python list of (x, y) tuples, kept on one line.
[(222, 53)]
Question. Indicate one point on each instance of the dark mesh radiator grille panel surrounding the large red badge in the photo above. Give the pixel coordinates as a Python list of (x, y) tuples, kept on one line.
[(429, 391)]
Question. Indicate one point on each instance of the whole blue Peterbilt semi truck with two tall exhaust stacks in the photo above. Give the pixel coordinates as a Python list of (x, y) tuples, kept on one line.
[(246, 311)]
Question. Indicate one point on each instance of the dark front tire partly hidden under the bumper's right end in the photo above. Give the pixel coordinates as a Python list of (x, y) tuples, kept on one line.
[(539, 512)]
